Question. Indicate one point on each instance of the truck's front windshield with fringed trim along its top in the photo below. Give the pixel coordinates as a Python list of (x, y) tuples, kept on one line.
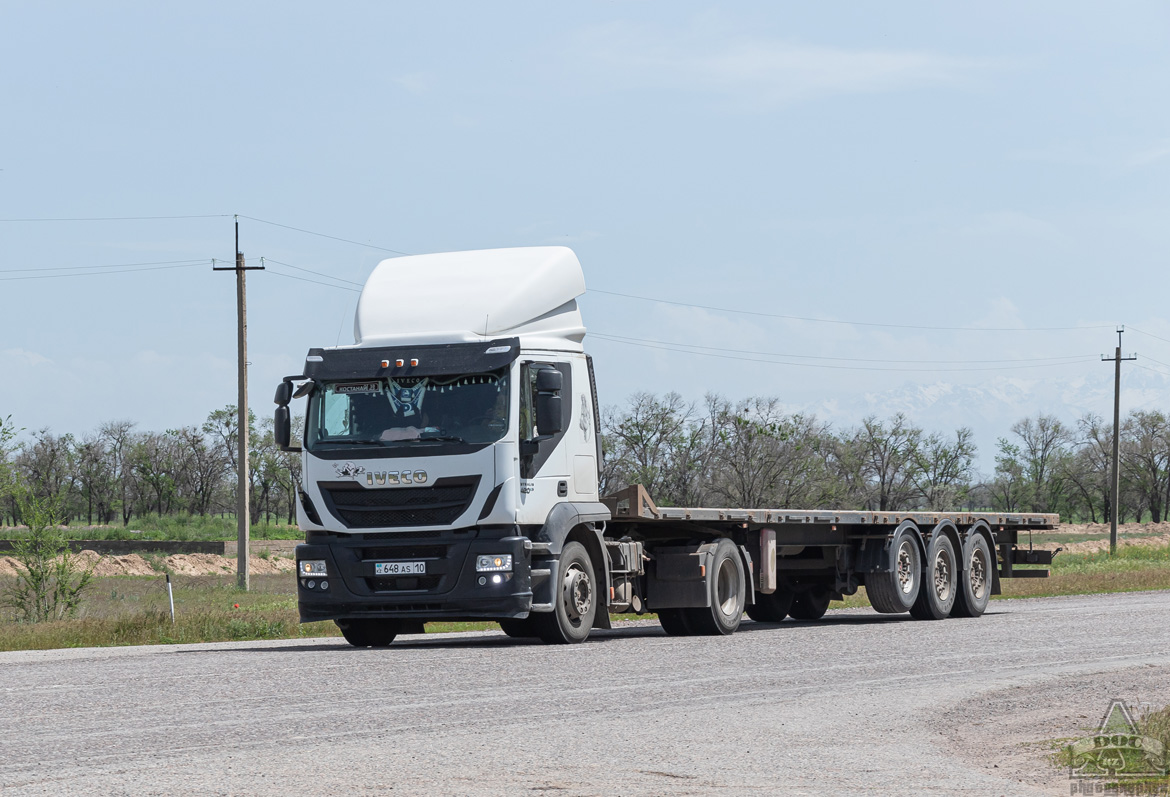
[(409, 411)]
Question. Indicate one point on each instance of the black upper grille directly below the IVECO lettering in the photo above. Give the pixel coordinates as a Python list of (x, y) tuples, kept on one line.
[(441, 505)]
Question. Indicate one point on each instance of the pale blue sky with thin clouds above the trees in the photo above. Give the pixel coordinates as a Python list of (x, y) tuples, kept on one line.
[(939, 209)]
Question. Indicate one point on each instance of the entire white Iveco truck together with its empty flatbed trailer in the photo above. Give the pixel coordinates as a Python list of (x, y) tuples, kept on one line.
[(451, 472)]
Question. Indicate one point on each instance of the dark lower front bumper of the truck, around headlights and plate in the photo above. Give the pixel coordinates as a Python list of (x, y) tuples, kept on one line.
[(450, 589)]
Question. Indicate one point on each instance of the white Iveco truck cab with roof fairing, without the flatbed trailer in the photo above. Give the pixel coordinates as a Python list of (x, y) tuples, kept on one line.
[(450, 449)]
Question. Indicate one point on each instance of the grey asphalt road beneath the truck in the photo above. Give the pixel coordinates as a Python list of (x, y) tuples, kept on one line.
[(855, 704)]
